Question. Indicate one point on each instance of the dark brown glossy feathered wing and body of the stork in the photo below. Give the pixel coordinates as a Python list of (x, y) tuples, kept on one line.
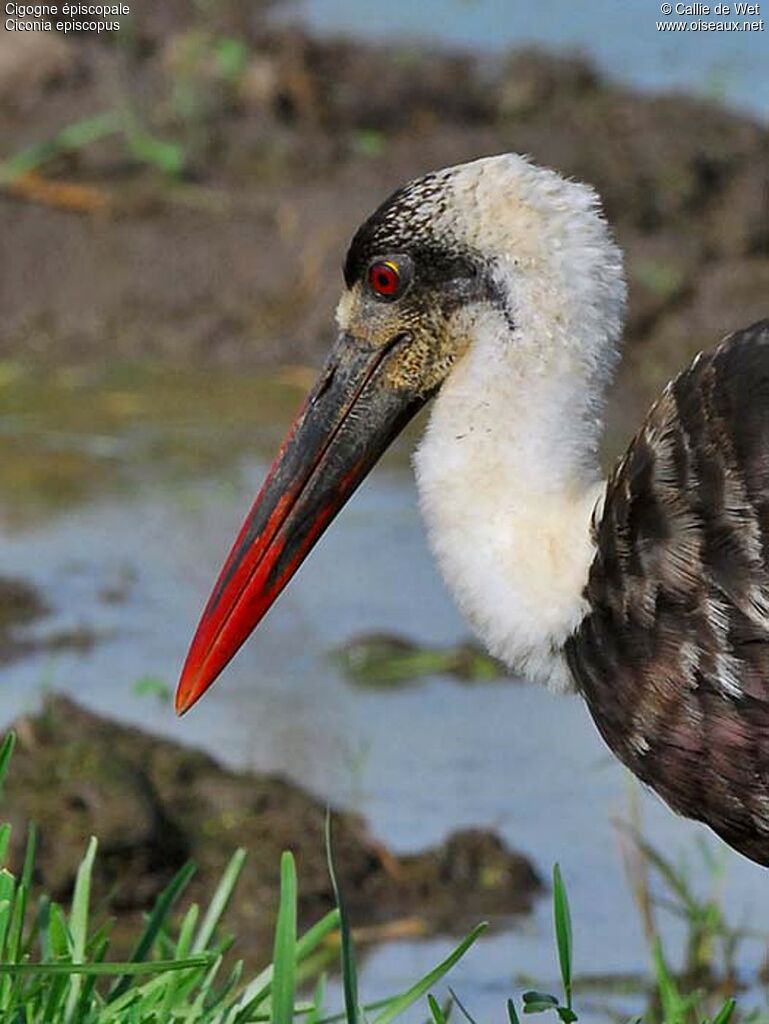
[(673, 657)]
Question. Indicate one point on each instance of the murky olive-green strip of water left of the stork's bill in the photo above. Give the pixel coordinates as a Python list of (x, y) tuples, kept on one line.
[(68, 437)]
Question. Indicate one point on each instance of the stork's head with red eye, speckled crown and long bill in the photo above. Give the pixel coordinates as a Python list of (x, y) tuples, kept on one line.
[(447, 258)]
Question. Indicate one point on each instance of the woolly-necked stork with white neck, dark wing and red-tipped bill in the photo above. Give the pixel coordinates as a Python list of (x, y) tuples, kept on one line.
[(496, 289)]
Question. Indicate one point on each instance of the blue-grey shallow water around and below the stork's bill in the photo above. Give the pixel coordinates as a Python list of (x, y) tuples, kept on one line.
[(135, 559)]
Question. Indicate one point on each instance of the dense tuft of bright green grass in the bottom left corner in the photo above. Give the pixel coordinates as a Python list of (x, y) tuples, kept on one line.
[(55, 966)]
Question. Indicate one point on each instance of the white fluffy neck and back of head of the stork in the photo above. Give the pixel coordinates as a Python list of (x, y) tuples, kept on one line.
[(508, 471)]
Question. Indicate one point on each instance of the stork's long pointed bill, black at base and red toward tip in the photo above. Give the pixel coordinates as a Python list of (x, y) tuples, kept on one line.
[(352, 415)]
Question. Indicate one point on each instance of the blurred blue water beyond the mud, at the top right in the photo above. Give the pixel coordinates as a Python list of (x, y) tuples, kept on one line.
[(620, 35)]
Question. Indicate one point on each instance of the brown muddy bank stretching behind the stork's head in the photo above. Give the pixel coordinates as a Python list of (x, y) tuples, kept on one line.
[(286, 143)]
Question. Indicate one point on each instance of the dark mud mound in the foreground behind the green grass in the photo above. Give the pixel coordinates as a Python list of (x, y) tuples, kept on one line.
[(154, 805)]
